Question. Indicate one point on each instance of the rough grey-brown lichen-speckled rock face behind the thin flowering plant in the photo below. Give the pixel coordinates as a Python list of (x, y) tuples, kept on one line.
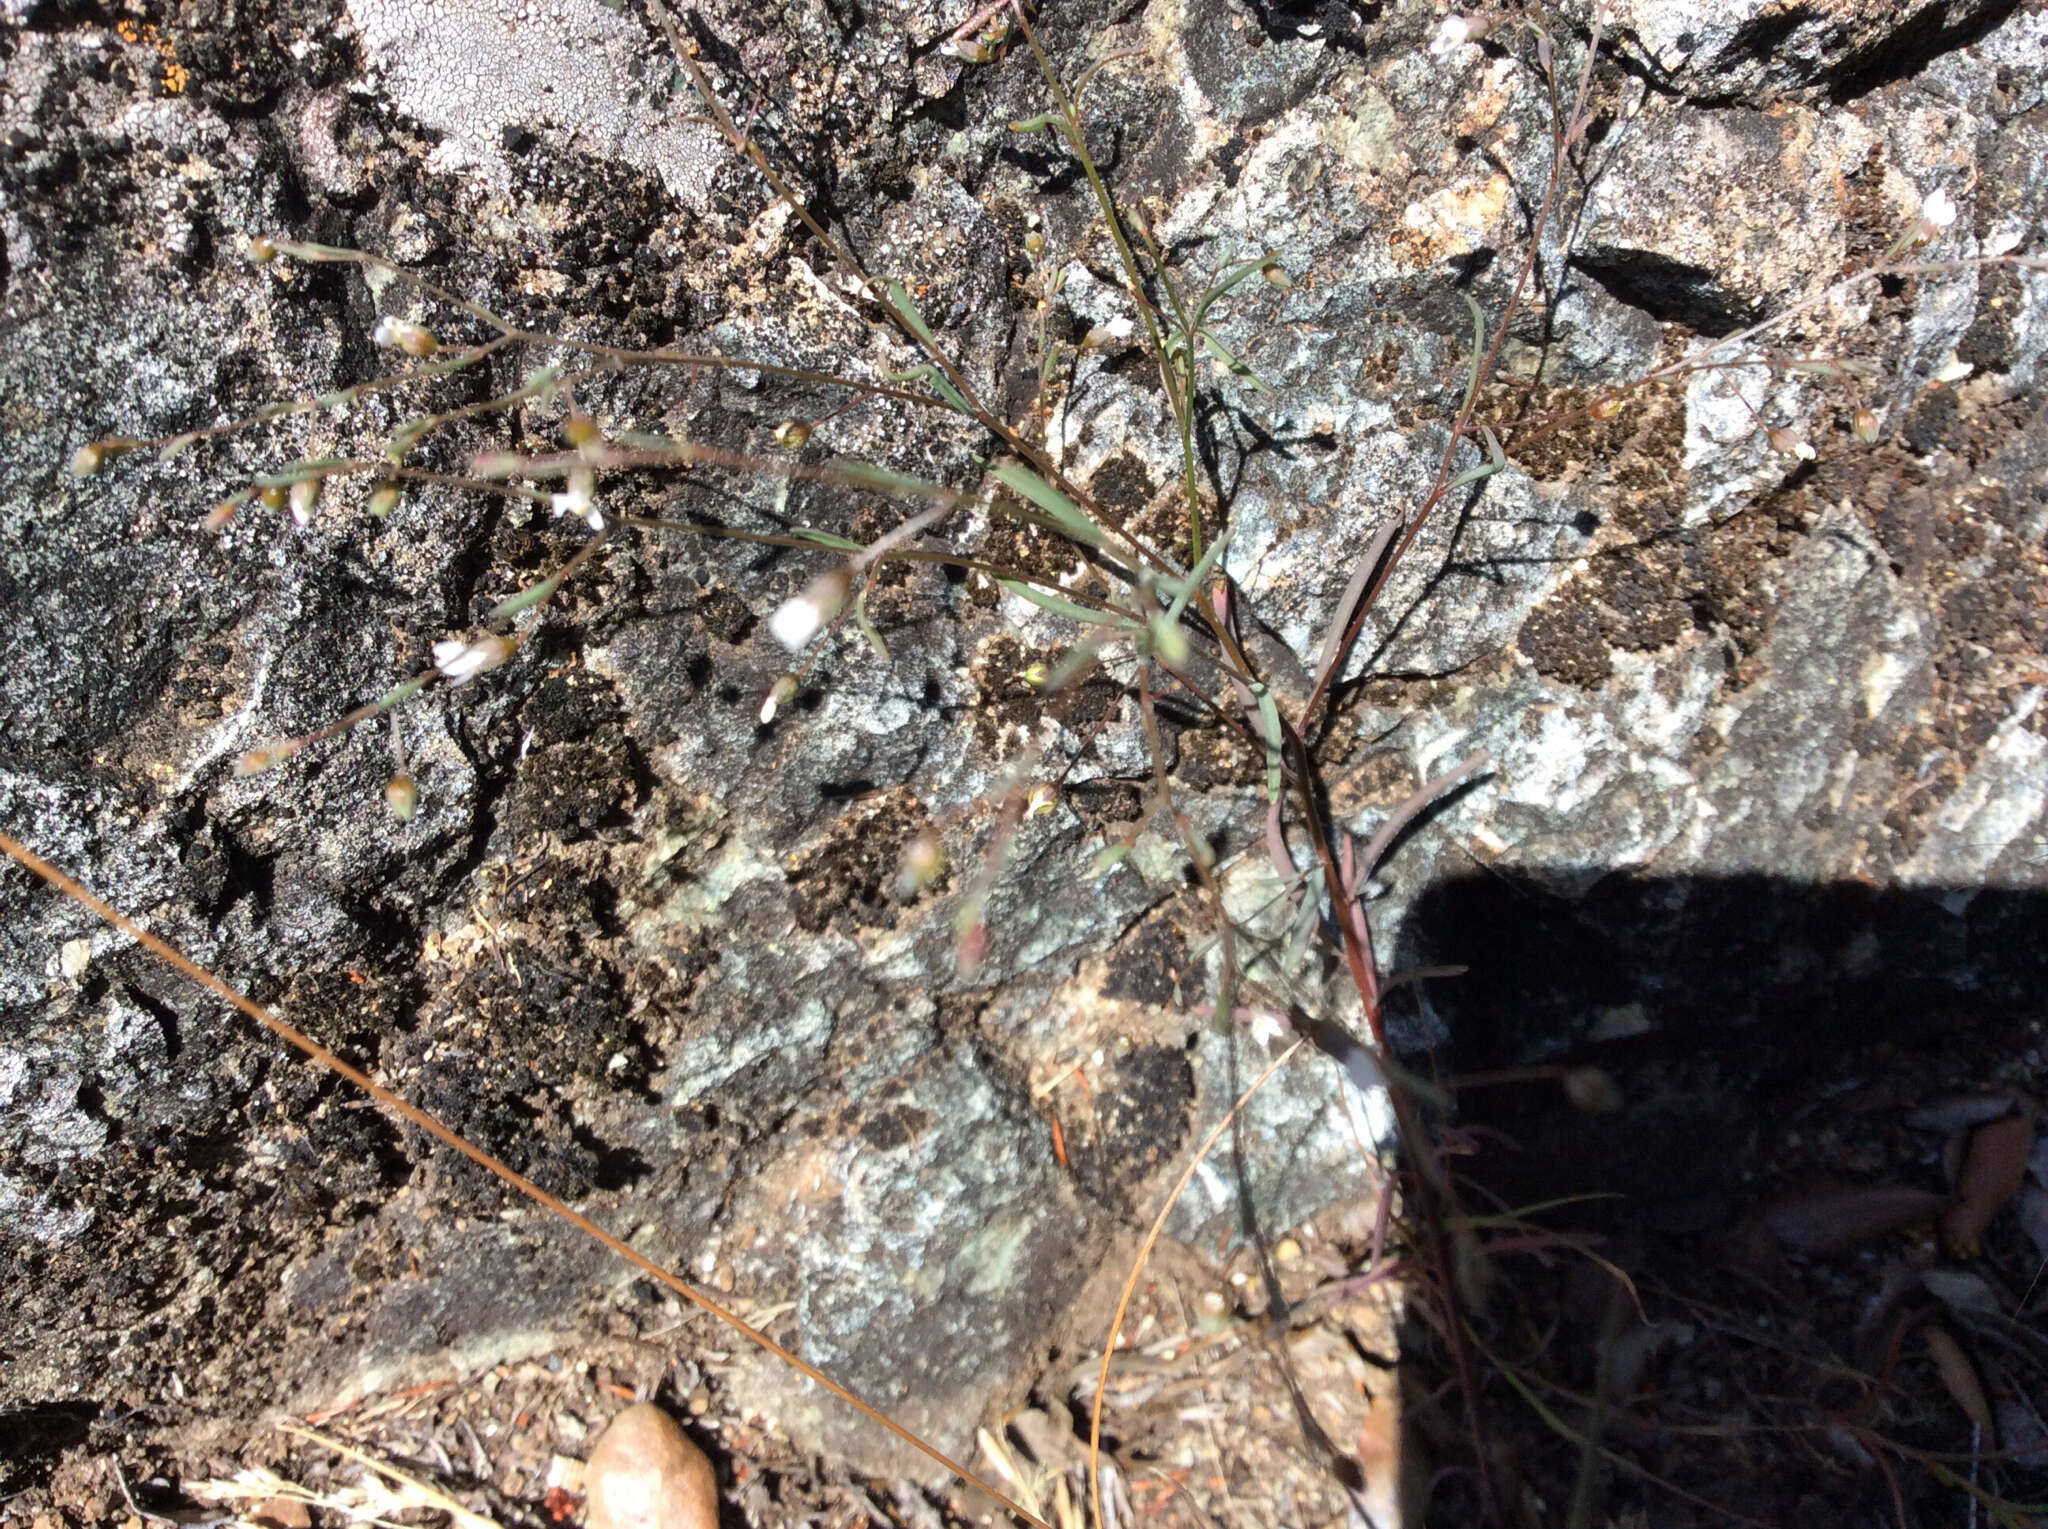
[(648, 949)]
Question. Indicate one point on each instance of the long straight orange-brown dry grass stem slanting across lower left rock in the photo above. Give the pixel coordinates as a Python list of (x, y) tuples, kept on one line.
[(413, 1115)]
